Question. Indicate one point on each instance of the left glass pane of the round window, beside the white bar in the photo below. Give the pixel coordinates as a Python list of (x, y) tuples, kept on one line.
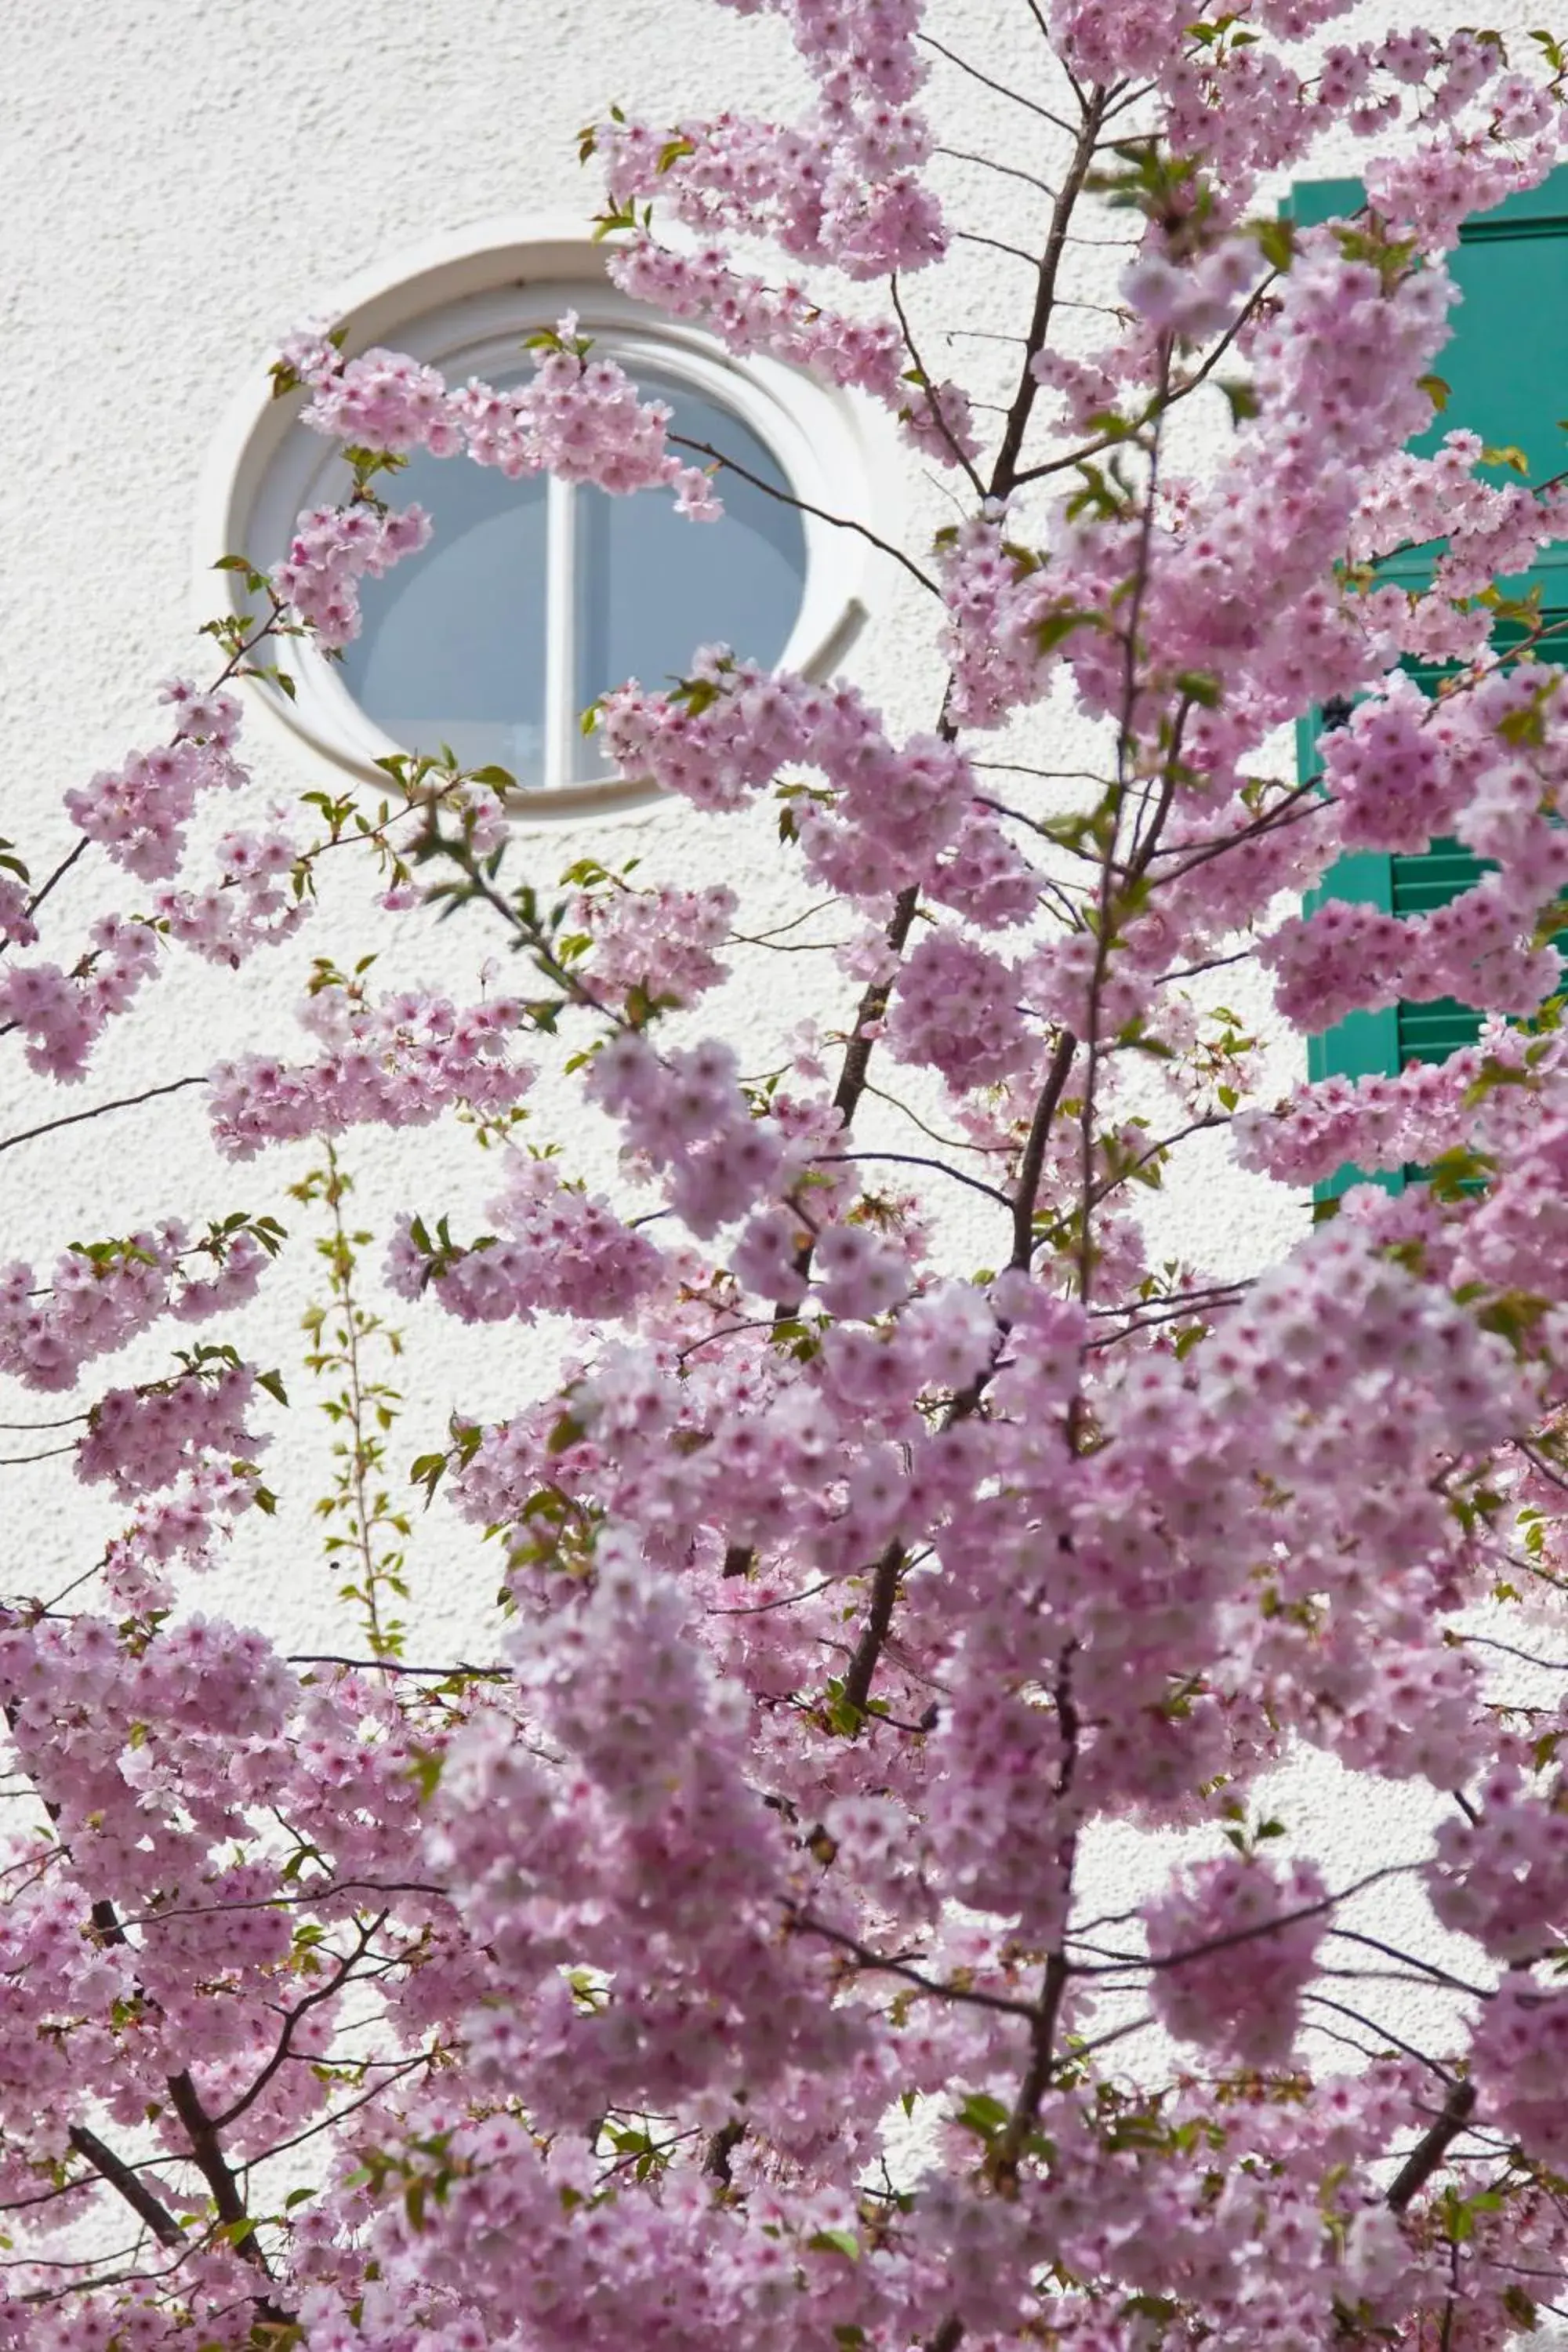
[(455, 639)]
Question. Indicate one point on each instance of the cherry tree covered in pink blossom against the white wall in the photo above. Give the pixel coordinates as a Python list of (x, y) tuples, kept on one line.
[(716, 1960)]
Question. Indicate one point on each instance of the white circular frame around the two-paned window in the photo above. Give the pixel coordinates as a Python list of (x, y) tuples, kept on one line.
[(464, 307)]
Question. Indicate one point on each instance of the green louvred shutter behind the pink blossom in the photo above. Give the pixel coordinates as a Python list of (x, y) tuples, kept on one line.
[(1508, 382)]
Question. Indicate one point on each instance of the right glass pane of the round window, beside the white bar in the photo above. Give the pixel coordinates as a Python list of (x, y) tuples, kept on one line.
[(655, 587)]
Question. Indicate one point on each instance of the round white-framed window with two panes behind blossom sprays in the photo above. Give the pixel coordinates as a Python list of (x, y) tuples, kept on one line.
[(537, 596)]
